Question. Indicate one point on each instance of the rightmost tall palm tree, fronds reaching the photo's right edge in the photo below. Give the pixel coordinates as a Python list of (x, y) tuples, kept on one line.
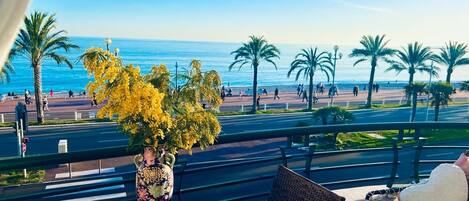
[(452, 56)]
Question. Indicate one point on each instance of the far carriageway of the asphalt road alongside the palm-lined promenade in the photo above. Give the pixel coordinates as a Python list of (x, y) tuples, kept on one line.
[(82, 137)]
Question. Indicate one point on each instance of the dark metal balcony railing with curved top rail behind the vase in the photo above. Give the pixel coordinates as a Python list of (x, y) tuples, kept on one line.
[(289, 156)]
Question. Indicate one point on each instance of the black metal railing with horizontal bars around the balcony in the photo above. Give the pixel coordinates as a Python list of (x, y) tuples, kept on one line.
[(187, 168)]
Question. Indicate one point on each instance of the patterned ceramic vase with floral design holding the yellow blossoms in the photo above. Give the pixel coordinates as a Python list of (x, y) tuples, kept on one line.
[(155, 182)]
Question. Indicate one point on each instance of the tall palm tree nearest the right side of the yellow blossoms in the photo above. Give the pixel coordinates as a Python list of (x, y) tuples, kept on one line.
[(252, 53)]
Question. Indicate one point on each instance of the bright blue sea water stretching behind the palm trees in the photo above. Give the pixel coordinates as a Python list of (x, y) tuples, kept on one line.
[(214, 55)]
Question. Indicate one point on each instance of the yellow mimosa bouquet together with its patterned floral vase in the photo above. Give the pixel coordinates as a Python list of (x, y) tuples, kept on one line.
[(159, 117)]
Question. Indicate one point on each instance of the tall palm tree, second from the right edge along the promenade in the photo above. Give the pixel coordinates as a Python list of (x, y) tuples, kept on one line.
[(413, 59)]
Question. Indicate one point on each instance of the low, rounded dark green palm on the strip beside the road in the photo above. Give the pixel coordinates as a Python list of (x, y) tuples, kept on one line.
[(333, 115)]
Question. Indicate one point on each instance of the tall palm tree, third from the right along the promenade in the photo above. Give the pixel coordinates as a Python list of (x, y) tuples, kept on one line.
[(373, 49)]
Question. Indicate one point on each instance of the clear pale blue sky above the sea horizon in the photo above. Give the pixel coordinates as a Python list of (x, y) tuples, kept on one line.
[(280, 21)]
